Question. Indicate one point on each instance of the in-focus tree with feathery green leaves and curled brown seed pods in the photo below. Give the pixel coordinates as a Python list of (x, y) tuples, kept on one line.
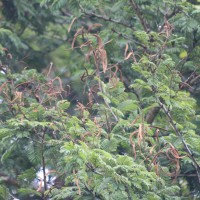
[(134, 135)]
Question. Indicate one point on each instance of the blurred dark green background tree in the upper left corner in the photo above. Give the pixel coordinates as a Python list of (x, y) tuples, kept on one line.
[(26, 29)]
